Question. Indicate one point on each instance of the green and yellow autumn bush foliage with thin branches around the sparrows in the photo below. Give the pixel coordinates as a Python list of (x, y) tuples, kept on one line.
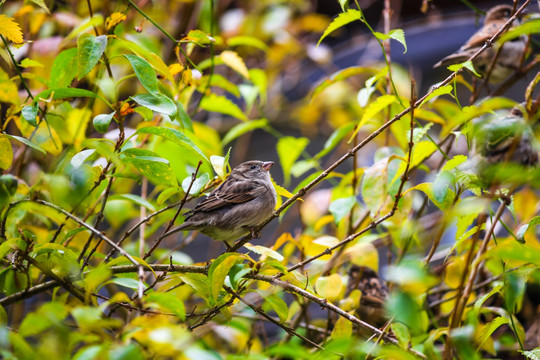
[(116, 116)]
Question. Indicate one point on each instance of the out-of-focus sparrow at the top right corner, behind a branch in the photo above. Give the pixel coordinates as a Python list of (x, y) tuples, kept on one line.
[(510, 56)]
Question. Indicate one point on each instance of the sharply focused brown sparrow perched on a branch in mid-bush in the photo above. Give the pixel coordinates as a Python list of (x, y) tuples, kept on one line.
[(237, 206)]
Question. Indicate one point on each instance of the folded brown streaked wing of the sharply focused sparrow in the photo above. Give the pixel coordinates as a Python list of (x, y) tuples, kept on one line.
[(228, 194)]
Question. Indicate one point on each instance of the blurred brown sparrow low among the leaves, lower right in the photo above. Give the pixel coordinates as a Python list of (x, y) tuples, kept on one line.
[(374, 294)]
